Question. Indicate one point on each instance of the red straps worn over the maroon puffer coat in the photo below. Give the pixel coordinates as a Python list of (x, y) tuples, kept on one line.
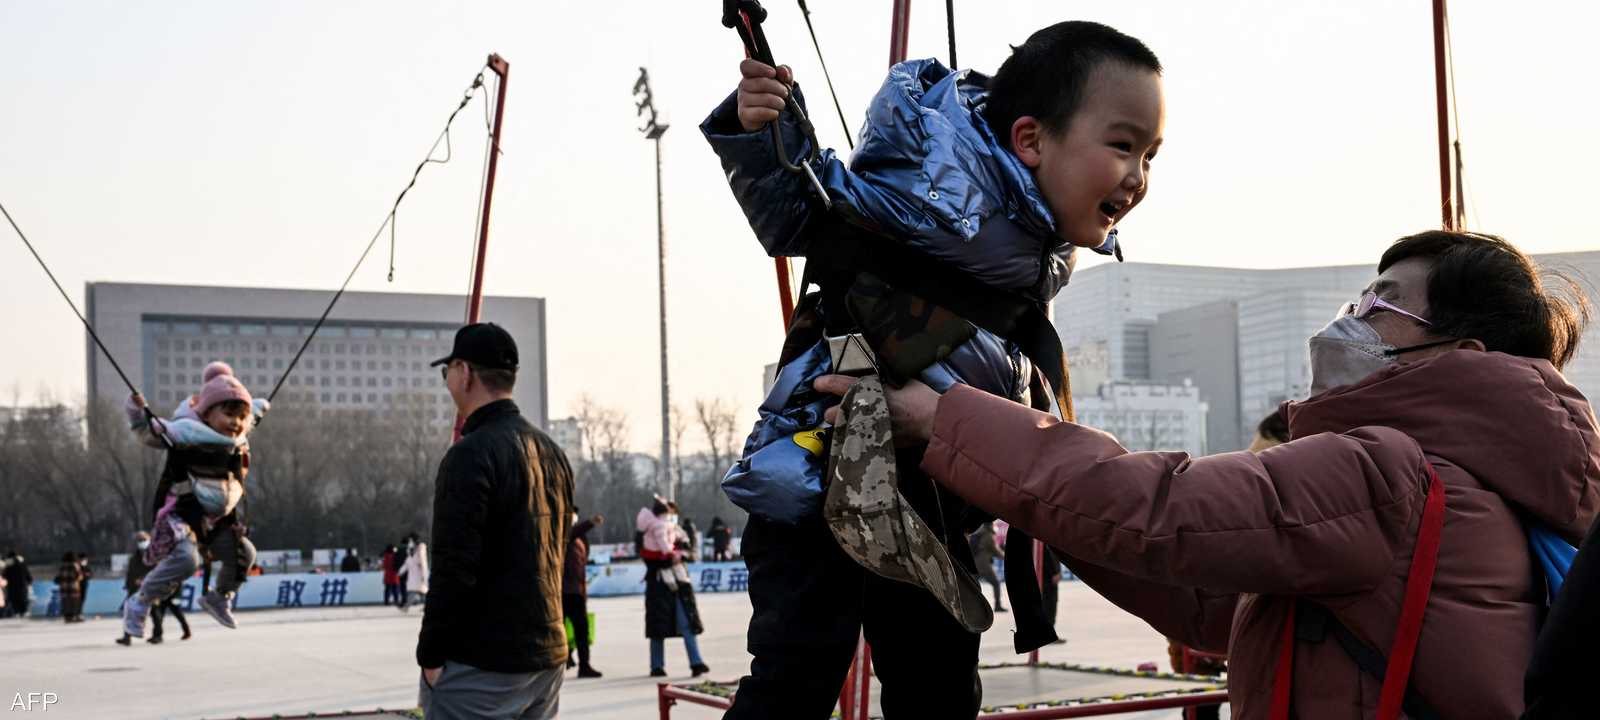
[(1396, 673)]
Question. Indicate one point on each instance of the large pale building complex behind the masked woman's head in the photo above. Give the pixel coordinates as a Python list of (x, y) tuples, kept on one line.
[(1239, 335)]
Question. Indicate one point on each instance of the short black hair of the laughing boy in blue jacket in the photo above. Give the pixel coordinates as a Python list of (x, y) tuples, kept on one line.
[(1046, 78)]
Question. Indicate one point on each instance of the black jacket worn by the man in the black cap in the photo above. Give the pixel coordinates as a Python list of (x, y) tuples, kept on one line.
[(502, 508)]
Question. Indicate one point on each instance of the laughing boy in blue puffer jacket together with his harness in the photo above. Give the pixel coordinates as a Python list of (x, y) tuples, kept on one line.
[(938, 244)]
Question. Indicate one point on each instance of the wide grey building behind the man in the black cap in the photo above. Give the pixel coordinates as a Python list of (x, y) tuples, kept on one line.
[(372, 354)]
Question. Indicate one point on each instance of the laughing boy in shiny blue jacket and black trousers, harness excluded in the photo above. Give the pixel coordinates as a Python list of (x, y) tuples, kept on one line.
[(991, 182)]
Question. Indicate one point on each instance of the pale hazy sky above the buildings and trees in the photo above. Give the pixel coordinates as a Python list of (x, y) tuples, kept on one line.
[(260, 145)]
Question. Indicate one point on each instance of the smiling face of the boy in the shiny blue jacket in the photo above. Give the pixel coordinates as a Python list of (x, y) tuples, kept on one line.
[(1097, 172)]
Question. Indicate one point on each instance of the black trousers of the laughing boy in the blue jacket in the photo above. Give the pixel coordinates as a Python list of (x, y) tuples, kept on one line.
[(810, 606)]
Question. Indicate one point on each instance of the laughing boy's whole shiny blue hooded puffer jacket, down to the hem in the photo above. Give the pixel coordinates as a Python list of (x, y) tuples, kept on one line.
[(929, 174)]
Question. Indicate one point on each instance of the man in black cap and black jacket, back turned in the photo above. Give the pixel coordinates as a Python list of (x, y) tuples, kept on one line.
[(492, 642)]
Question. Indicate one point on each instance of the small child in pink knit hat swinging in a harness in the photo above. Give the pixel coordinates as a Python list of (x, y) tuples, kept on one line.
[(199, 494)]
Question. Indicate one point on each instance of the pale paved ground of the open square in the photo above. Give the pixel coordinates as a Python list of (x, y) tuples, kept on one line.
[(329, 660)]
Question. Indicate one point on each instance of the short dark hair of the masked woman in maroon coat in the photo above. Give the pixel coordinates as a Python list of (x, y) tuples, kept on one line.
[(1482, 287)]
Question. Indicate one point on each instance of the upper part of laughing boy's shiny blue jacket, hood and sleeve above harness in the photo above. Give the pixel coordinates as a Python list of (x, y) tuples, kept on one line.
[(927, 172)]
